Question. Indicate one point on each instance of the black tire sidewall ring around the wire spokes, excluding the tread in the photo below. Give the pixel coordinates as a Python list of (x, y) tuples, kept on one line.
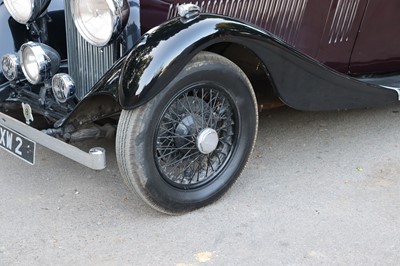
[(242, 100)]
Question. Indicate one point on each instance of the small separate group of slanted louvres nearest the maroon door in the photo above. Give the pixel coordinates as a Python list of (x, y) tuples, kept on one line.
[(343, 20)]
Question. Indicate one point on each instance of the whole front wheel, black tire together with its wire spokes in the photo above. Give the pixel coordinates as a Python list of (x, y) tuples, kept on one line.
[(167, 150)]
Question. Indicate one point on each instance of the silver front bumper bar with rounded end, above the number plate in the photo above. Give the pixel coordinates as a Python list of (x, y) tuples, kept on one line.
[(94, 159)]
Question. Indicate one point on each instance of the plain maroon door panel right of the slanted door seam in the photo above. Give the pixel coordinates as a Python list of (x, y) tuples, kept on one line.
[(378, 43)]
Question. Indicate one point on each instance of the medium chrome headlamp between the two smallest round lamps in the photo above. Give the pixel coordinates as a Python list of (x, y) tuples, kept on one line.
[(39, 62)]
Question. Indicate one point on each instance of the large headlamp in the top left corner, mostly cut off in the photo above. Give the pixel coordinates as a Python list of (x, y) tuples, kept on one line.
[(24, 11)]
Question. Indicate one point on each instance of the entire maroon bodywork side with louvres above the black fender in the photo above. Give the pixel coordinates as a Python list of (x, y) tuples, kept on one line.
[(345, 35)]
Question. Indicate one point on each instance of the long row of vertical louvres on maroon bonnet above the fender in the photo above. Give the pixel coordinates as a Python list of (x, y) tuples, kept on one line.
[(281, 17)]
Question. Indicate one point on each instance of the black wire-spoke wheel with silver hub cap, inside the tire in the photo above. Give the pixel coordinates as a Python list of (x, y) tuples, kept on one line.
[(195, 136)]
